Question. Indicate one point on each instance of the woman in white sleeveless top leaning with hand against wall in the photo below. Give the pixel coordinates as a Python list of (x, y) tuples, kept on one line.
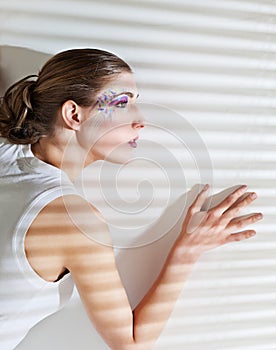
[(79, 109)]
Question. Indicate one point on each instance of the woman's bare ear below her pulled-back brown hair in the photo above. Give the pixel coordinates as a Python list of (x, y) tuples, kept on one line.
[(72, 114)]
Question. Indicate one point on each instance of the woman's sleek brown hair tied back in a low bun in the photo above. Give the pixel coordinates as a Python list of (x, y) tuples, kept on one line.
[(28, 109)]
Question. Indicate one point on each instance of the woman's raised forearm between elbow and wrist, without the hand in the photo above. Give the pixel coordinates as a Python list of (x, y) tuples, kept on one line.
[(151, 315)]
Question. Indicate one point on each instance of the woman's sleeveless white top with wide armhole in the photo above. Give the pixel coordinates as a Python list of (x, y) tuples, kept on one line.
[(26, 186)]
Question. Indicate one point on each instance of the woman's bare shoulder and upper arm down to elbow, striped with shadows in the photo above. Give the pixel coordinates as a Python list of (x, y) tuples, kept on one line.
[(70, 234)]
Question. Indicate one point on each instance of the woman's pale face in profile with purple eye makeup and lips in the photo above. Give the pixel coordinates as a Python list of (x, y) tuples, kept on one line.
[(112, 129)]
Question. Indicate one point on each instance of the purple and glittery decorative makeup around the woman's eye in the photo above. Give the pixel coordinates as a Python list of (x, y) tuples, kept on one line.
[(111, 99)]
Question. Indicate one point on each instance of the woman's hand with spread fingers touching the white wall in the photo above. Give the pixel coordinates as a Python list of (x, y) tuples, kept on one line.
[(205, 230)]
